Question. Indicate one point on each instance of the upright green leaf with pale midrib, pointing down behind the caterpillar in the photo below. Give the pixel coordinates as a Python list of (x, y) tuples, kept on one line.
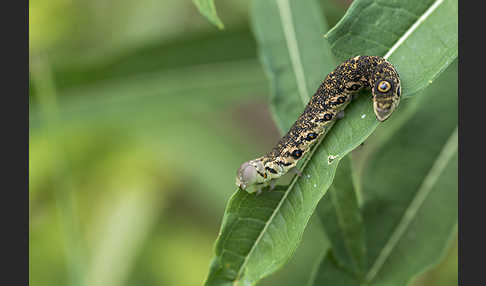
[(293, 52)]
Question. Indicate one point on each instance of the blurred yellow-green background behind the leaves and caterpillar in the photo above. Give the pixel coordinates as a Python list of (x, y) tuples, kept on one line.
[(140, 114)]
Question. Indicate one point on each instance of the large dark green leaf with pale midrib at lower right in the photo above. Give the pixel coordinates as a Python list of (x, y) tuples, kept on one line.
[(410, 194)]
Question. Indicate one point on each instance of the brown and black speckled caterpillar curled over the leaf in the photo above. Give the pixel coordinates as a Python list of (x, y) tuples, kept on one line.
[(324, 107)]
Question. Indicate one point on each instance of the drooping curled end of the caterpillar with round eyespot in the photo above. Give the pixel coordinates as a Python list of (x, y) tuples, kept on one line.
[(386, 91)]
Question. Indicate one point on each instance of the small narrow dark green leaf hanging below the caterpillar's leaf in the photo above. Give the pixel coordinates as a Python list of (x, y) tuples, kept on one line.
[(340, 215)]
